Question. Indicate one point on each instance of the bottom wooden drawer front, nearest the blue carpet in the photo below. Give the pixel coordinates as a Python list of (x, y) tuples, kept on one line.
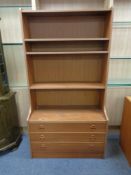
[(67, 147)]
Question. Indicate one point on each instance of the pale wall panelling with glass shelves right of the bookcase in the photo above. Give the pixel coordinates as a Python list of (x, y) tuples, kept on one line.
[(120, 62)]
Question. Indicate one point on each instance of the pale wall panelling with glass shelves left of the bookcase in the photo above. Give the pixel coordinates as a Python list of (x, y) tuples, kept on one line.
[(14, 55)]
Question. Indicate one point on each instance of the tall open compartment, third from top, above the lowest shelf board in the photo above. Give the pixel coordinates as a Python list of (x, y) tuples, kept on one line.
[(67, 68)]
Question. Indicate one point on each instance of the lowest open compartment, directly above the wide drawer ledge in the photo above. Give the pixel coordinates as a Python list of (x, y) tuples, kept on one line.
[(67, 98)]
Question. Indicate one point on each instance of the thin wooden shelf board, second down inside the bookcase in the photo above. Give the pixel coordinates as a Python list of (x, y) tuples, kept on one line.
[(68, 53)]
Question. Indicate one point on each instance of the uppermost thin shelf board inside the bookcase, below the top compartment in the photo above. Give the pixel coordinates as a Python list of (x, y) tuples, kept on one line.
[(65, 39)]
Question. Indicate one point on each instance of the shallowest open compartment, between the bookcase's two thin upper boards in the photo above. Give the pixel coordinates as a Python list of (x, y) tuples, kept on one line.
[(63, 46)]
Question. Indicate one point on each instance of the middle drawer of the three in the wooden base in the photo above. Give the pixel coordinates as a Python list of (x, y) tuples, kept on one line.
[(67, 137)]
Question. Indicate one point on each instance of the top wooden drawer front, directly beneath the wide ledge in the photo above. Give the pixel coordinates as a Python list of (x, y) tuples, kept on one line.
[(67, 127)]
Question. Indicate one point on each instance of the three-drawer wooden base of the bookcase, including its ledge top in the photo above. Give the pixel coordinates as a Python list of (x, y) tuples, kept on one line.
[(69, 136)]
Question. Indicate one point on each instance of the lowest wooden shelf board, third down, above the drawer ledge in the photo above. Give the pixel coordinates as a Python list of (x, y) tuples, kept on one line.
[(40, 86)]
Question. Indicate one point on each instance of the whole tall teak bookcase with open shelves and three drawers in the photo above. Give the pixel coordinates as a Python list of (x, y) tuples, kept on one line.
[(67, 55)]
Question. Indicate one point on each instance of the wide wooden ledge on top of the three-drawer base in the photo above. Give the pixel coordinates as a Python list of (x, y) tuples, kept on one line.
[(67, 115)]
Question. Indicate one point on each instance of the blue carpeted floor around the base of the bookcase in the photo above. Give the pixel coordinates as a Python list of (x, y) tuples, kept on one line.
[(19, 163)]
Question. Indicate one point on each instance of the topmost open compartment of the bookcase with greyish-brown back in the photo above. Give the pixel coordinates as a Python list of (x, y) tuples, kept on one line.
[(70, 24)]
